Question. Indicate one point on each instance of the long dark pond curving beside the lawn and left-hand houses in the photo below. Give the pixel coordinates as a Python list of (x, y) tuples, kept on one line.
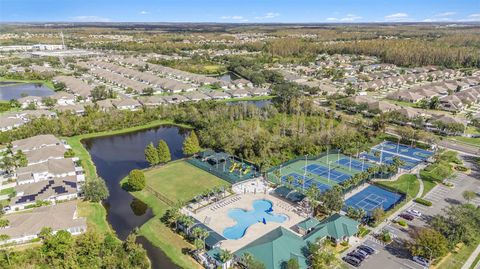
[(115, 156)]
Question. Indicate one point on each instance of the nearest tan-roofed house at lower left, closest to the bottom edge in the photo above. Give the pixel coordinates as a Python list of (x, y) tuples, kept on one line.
[(24, 227)]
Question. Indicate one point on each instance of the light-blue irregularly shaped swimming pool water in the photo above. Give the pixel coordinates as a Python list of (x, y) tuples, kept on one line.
[(262, 209)]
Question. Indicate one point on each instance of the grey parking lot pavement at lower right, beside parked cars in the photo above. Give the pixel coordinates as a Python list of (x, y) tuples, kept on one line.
[(394, 255)]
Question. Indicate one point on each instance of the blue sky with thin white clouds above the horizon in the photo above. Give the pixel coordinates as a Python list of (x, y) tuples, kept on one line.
[(240, 11)]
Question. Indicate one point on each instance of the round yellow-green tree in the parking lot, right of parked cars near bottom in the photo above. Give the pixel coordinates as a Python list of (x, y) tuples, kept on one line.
[(428, 243)]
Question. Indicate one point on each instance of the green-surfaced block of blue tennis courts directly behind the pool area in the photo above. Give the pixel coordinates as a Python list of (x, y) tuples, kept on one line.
[(318, 172)]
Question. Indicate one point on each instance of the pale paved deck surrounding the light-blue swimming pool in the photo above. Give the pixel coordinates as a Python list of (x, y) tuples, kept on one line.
[(219, 219)]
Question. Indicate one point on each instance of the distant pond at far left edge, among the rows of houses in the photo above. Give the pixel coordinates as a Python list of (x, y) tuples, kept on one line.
[(16, 91)]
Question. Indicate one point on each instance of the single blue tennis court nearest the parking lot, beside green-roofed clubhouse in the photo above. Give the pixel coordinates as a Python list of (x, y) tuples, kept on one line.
[(374, 197)]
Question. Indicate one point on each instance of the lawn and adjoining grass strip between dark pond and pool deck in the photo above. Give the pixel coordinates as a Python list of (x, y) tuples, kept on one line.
[(179, 181)]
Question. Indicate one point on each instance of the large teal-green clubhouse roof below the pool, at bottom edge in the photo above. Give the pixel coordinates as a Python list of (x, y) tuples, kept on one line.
[(276, 248)]
